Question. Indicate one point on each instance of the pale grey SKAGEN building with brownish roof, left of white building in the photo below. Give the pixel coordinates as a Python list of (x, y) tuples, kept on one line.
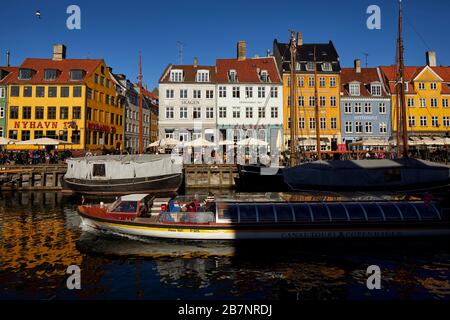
[(187, 102)]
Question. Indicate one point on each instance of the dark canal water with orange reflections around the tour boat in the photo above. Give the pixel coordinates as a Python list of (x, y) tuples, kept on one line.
[(40, 237)]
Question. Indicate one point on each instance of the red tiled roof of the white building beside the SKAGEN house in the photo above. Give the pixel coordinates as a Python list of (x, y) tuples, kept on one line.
[(248, 70)]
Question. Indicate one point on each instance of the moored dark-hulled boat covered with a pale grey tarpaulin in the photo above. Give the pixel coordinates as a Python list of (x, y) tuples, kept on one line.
[(122, 174)]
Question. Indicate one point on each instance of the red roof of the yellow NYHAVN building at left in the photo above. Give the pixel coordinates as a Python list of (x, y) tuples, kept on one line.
[(63, 66)]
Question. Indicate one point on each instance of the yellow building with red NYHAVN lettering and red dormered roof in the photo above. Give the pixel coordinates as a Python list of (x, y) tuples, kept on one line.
[(67, 99)]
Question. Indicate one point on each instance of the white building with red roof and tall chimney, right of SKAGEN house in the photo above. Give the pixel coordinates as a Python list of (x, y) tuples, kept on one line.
[(249, 98)]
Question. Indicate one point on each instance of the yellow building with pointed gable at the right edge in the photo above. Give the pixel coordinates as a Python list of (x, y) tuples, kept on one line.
[(427, 99)]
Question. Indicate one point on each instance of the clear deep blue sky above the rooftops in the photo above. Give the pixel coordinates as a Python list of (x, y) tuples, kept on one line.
[(117, 30)]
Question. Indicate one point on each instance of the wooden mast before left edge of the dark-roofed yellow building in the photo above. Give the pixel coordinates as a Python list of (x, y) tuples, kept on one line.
[(293, 109)]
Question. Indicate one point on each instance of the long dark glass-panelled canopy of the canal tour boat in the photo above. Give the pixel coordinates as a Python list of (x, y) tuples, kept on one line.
[(328, 212)]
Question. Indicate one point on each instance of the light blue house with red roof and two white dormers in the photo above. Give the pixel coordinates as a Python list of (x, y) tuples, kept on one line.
[(365, 105)]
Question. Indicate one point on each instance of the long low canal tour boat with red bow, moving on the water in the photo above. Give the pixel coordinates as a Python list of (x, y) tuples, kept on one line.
[(267, 217)]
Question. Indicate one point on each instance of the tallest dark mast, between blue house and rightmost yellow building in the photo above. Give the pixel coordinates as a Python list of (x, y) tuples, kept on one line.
[(401, 86)]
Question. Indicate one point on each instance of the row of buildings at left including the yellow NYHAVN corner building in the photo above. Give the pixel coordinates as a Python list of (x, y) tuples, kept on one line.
[(80, 101)]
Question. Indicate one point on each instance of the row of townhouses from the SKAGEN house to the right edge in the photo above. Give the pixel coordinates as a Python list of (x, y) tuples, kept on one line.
[(250, 97)]
